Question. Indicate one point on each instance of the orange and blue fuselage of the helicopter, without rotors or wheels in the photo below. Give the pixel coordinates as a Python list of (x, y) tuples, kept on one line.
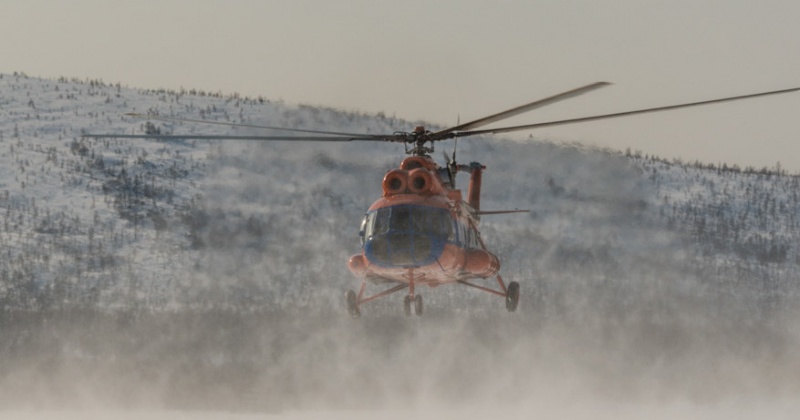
[(421, 231)]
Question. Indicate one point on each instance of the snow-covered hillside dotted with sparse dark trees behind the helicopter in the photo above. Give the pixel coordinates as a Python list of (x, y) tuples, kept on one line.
[(123, 222)]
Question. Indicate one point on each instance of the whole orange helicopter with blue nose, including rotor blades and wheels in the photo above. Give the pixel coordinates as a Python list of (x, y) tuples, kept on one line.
[(422, 231)]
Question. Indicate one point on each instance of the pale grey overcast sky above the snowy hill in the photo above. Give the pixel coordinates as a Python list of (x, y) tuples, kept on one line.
[(441, 60)]
